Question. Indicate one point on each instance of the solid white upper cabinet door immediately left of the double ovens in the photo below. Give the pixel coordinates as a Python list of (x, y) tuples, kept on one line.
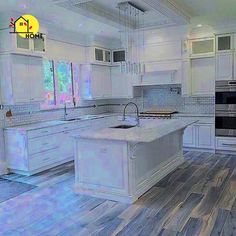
[(203, 77)]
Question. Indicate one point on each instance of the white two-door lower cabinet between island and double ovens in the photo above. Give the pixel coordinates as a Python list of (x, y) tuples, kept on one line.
[(200, 135)]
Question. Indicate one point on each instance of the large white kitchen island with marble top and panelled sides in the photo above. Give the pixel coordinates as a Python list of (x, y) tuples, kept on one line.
[(122, 162)]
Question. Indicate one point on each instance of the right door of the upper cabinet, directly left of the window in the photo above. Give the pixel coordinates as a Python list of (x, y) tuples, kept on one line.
[(36, 79)]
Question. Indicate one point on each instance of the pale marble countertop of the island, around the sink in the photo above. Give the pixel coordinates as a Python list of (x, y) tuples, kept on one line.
[(148, 131)]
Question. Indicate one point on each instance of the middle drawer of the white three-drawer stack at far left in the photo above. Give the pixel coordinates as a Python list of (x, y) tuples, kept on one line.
[(41, 144)]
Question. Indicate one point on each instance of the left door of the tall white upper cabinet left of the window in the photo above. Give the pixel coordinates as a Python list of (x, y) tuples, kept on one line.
[(20, 78)]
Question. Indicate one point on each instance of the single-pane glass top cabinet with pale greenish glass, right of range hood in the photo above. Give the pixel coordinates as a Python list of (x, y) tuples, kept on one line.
[(204, 47)]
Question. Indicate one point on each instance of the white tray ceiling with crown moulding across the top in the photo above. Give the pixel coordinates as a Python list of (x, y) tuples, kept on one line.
[(159, 13)]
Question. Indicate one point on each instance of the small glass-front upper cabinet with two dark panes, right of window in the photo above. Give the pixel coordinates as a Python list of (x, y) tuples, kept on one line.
[(98, 55)]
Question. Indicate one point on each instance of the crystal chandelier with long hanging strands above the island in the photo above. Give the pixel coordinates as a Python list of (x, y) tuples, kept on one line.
[(131, 37)]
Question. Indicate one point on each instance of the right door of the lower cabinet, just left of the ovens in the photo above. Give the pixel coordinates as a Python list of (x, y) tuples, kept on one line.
[(205, 135)]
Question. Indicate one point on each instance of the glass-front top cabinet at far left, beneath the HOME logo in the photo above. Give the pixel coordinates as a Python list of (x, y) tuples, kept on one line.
[(13, 43)]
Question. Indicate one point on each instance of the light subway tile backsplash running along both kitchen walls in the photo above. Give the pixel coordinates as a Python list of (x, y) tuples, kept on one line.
[(167, 97)]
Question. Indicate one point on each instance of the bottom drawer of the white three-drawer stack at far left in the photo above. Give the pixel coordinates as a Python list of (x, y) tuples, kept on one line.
[(40, 160)]
